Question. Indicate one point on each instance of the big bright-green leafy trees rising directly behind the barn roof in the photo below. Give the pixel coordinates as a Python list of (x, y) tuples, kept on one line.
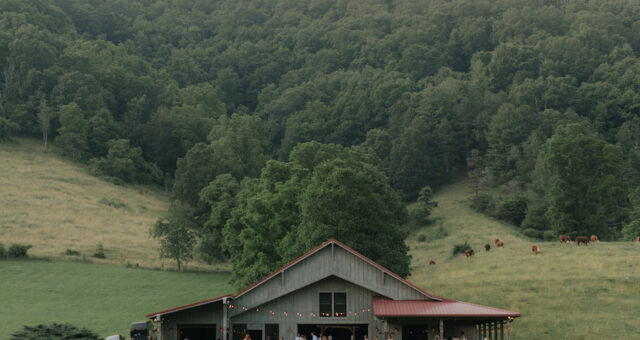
[(324, 191)]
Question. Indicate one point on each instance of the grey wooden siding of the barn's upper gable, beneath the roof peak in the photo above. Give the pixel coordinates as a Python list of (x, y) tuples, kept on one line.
[(329, 261)]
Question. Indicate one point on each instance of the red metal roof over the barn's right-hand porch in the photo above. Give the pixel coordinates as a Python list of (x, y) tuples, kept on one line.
[(446, 308)]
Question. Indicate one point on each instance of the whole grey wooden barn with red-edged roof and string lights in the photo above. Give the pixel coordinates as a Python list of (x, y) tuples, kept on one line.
[(335, 291)]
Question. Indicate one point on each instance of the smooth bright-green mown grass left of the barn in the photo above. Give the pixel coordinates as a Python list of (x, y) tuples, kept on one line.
[(103, 298)]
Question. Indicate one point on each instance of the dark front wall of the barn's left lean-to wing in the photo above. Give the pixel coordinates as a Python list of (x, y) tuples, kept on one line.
[(207, 314)]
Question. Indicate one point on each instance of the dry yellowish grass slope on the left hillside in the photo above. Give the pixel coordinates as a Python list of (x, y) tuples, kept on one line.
[(54, 204)]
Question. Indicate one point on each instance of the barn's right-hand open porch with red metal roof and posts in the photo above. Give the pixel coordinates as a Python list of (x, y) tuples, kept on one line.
[(426, 319)]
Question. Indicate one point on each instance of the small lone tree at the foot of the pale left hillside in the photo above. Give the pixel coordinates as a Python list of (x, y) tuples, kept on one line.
[(175, 232)]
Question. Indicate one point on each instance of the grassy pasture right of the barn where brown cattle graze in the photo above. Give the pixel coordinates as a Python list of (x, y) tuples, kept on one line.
[(564, 292)]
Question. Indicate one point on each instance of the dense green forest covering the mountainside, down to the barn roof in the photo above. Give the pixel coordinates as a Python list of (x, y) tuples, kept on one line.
[(278, 123)]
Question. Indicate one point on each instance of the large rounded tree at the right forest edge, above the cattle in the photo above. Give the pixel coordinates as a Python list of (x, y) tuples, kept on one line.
[(587, 187)]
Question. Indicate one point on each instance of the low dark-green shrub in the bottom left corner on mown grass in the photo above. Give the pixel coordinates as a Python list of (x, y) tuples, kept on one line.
[(55, 331)]
